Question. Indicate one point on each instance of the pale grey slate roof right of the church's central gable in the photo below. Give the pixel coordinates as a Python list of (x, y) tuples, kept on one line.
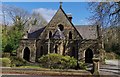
[(87, 31)]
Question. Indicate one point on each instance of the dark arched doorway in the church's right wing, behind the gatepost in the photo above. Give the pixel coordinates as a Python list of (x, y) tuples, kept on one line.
[(88, 56)]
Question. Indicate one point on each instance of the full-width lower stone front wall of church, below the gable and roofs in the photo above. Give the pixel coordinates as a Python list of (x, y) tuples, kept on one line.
[(64, 47)]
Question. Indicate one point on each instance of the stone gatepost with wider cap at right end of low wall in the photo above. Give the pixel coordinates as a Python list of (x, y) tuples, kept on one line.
[(96, 66)]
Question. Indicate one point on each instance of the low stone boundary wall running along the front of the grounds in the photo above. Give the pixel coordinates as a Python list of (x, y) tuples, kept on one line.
[(49, 72)]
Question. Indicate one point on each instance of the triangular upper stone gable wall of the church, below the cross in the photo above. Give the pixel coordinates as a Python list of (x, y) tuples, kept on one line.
[(60, 19)]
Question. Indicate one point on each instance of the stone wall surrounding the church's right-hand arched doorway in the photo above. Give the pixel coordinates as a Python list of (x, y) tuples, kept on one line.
[(87, 44)]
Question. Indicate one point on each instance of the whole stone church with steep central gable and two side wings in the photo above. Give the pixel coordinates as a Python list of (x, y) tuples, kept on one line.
[(61, 36)]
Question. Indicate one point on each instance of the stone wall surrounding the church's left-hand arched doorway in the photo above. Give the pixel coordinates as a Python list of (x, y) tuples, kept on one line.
[(31, 44)]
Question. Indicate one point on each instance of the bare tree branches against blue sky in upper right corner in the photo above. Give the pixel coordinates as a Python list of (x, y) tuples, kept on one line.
[(105, 13)]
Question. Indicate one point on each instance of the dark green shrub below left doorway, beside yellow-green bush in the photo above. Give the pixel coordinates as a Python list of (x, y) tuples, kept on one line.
[(16, 61)]
